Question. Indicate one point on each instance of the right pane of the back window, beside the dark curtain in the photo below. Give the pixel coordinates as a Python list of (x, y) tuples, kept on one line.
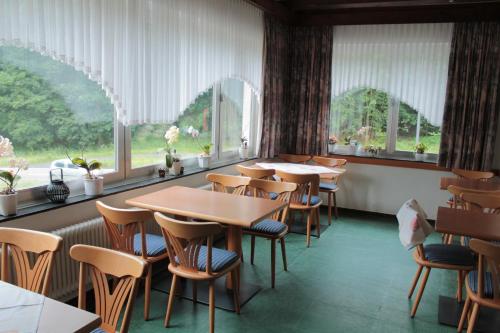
[(408, 125)]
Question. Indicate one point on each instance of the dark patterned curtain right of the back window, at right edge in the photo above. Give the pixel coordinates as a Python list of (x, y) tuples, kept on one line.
[(472, 105)]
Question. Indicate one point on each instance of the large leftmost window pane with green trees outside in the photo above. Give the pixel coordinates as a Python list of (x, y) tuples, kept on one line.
[(49, 110)]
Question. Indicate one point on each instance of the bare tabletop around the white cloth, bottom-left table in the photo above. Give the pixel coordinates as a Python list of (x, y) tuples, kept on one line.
[(56, 316)]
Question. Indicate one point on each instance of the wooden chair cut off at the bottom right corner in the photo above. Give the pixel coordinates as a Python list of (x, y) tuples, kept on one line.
[(483, 285)]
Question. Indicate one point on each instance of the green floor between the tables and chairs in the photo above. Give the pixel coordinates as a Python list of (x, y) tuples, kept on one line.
[(355, 278)]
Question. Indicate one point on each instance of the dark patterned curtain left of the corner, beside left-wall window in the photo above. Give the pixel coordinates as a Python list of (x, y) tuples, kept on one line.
[(276, 83)]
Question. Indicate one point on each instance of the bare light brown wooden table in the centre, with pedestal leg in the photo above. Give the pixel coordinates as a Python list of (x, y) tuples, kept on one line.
[(235, 212)]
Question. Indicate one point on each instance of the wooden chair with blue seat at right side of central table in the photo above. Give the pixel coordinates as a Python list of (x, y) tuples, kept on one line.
[(274, 228)]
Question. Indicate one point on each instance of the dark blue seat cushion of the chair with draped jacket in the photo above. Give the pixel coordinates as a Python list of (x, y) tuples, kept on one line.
[(449, 254)]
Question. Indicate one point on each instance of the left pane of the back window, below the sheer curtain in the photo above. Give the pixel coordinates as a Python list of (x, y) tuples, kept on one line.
[(360, 115)]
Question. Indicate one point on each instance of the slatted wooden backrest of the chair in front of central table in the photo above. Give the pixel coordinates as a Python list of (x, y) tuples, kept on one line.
[(185, 239)]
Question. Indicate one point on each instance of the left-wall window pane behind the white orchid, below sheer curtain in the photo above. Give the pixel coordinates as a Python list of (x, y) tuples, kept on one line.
[(149, 140)]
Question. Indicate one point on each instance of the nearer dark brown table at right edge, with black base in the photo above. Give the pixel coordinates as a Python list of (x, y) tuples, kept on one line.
[(476, 225)]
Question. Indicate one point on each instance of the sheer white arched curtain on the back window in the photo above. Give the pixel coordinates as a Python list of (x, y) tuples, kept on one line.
[(408, 61)]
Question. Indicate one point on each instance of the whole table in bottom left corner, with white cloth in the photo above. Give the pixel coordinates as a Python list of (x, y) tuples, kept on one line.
[(24, 311)]
